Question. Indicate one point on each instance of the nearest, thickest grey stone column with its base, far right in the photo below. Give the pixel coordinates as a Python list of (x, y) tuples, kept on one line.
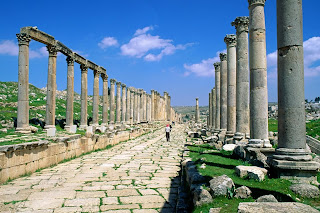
[(291, 160)]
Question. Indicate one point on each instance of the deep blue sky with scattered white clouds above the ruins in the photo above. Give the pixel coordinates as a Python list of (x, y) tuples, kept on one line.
[(167, 45)]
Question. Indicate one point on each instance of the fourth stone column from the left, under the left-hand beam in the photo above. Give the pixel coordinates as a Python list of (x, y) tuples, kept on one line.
[(84, 96)]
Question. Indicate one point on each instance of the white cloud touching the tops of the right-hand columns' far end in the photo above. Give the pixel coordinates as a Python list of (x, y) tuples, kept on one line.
[(203, 69)]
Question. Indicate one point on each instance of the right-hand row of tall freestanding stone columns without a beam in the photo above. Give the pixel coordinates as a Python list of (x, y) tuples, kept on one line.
[(243, 116)]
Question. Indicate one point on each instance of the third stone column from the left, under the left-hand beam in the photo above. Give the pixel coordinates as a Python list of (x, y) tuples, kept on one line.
[(70, 93)]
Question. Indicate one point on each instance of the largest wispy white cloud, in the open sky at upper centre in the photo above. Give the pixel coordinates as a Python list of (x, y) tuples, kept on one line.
[(142, 42)]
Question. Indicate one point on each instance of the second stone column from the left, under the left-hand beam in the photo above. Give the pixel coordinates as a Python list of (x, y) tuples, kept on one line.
[(51, 88)]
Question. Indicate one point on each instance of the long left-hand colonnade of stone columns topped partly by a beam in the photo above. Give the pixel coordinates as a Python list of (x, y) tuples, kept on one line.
[(127, 105)]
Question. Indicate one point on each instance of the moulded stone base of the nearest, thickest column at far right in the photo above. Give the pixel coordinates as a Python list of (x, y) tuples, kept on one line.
[(295, 165)]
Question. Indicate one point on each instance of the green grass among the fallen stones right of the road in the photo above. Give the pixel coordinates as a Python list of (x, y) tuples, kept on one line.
[(219, 163)]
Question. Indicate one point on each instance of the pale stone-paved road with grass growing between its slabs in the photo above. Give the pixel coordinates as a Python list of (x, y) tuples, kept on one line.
[(136, 176)]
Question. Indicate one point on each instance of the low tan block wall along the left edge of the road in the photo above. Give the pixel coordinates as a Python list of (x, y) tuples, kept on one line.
[(21, 159)]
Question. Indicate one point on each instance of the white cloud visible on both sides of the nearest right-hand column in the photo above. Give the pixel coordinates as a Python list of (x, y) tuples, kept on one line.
[(311, 48)]
